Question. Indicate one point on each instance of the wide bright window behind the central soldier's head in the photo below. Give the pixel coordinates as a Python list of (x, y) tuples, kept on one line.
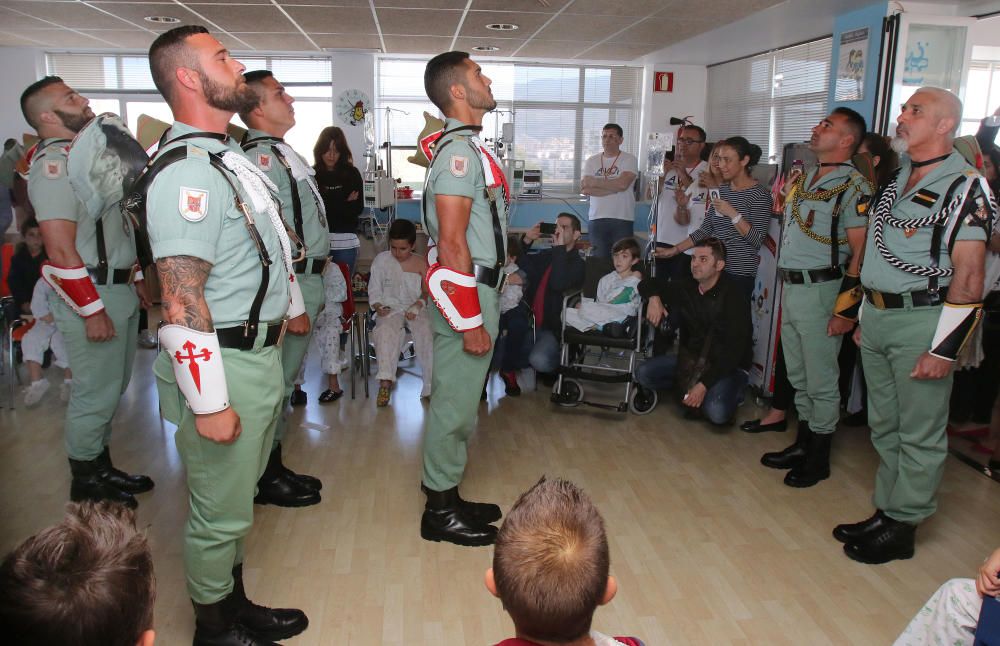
[(557, 110)]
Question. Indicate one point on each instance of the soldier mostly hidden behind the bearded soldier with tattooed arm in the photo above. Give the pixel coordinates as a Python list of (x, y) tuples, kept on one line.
[(303, 210)]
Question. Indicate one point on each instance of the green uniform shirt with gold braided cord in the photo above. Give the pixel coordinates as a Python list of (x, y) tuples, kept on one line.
[(806, 237)]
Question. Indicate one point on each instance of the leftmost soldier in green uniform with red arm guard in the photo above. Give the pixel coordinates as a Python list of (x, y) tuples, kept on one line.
[(91, 266)]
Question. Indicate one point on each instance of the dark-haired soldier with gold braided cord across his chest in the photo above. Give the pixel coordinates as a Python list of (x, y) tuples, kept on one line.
[(824, 227)]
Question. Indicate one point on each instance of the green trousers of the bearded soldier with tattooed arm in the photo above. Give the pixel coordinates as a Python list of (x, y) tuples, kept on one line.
[(222, 478)]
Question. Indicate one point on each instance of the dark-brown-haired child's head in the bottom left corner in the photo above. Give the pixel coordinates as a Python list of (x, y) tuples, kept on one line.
[(87, 581)]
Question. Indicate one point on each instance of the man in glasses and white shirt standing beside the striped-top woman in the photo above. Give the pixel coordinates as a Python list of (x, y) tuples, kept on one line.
[(681, 205)]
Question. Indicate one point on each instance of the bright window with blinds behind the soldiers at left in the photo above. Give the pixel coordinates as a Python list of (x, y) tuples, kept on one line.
[(122, 83)]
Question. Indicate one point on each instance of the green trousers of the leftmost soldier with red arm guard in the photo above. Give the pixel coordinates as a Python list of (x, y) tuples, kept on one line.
[(101, 371)]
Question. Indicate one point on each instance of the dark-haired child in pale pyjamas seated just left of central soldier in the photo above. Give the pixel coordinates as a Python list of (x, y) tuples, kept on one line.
[(396, 294)]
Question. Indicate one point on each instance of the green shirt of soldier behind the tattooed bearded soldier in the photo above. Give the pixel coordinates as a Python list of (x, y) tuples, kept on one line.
[(312, 227)]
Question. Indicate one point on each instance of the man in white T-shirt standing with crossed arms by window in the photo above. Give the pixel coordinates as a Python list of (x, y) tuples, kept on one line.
[(607, 179)]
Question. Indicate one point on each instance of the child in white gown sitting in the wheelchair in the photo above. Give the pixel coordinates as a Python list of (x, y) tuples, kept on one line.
[(616, 306)]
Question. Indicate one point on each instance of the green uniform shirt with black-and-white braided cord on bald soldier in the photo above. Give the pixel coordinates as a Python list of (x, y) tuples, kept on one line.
[(913, 245)]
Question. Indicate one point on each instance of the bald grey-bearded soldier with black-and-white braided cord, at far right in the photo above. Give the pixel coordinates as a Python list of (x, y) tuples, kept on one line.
[(923, 281)]
